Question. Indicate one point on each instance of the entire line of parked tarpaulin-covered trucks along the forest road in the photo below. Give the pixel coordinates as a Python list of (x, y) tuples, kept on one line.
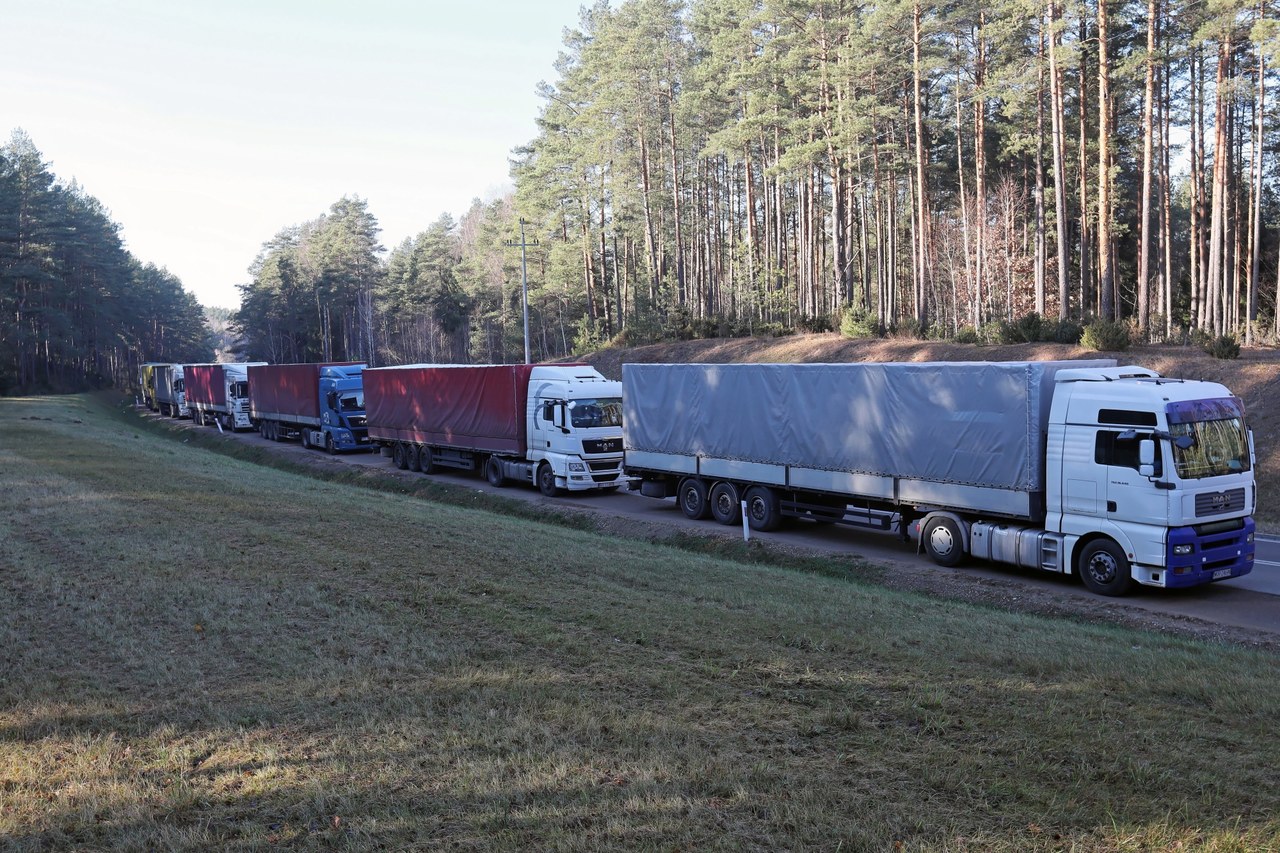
[(1110, 473)]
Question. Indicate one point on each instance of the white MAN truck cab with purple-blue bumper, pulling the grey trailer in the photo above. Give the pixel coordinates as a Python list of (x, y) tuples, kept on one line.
[(1149, 481)]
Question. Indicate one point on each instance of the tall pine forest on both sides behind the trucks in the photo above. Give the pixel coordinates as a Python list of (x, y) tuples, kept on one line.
[(971, 172)]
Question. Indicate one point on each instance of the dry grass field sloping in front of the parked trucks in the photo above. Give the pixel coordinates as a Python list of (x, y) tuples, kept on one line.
[(200, 653)]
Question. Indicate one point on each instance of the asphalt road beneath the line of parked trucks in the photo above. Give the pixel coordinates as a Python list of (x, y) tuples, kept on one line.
[(1251, 603)]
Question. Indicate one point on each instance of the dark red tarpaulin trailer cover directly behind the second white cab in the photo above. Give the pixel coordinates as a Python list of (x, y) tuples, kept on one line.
[(470, 408)]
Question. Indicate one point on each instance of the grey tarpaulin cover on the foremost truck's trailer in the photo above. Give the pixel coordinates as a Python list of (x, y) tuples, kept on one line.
[(968, 423)]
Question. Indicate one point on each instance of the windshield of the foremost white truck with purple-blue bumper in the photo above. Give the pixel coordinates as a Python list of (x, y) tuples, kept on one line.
[(1219, 443)]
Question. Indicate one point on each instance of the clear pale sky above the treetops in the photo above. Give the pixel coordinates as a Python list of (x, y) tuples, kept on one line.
[(207, 129)]
